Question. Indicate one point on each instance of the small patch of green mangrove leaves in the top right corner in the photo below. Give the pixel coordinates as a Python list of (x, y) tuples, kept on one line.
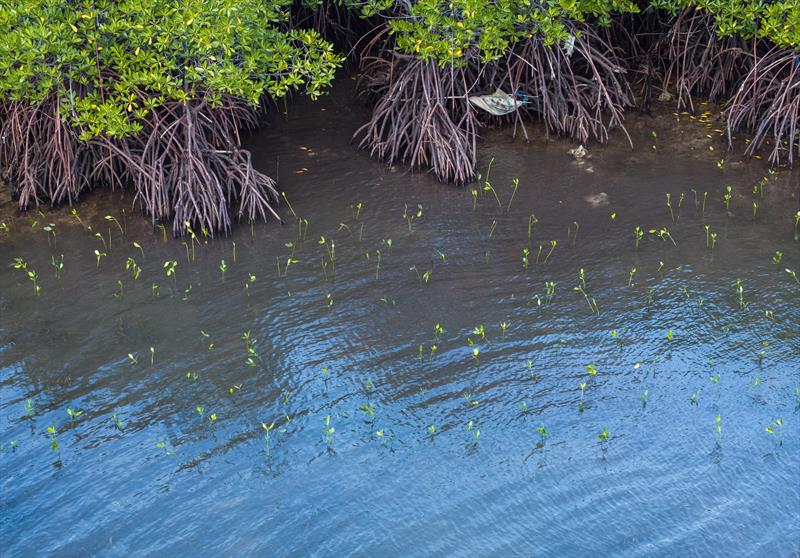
[(777, 21)]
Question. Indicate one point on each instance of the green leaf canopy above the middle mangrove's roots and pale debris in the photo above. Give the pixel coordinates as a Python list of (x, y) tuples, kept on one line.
[(445, 30)]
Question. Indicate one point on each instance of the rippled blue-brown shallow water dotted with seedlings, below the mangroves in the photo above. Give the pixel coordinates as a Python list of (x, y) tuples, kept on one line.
[(172, 481)]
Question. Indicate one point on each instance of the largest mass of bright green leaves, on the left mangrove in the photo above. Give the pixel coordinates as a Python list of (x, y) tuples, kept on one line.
[(110, 62)]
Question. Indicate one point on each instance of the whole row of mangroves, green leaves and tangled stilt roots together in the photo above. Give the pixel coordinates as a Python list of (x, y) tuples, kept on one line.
[(153, 95)]
